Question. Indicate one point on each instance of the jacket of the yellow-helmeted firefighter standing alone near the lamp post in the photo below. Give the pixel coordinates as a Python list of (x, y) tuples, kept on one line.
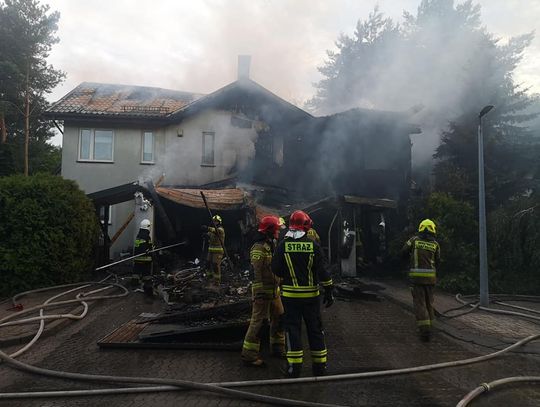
[(425, 257)]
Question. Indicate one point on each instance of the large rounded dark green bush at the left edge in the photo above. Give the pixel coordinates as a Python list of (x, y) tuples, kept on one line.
[(48, 231)]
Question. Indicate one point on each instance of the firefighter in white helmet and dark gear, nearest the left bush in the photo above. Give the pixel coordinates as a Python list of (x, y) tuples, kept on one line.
[(142, 265)]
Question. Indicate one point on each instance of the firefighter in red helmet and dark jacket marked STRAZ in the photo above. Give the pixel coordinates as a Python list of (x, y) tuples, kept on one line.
[(299, 263)]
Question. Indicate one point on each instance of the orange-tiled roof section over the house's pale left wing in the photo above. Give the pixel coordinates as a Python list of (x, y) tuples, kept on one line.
[(109, 100)]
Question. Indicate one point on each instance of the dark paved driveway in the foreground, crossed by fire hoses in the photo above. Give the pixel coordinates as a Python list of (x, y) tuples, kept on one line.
[(361, 336)]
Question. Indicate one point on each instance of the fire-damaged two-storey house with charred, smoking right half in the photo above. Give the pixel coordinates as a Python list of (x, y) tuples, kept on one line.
[(263, 153)]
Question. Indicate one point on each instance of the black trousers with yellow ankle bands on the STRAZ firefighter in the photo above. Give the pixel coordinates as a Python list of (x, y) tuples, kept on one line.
[(309, 310)]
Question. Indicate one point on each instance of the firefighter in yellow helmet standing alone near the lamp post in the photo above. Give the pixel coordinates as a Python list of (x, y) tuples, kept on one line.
[(425, 254)]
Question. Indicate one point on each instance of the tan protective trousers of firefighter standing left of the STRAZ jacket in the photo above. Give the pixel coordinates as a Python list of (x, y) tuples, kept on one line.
[(264, 309)]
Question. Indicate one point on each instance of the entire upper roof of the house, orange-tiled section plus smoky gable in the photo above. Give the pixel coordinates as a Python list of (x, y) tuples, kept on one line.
[(99, 100)]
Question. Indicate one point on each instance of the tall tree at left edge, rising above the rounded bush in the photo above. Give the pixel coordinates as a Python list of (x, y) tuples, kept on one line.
[(27, 34)]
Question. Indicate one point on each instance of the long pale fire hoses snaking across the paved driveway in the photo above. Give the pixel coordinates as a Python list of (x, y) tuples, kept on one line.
[(224, 387)]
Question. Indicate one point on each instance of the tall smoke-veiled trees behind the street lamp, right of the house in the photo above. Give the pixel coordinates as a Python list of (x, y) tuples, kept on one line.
[(443, 58)]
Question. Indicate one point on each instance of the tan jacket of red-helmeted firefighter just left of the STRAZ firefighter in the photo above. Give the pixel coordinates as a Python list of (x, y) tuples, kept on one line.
[(264, 282)]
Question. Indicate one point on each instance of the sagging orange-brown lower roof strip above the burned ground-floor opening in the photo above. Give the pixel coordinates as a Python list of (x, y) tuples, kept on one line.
[(218, 199)]
